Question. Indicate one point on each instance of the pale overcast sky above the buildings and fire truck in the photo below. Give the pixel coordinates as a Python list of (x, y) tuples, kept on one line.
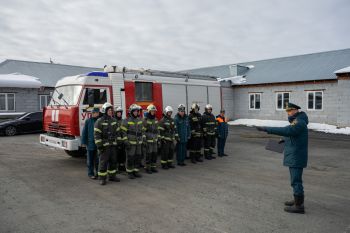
[(169, 34)]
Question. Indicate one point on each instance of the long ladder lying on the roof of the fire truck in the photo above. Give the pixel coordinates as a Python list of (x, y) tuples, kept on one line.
[(116, 69)]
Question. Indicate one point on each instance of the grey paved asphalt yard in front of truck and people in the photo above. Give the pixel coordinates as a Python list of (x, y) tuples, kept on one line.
[(45, 190)]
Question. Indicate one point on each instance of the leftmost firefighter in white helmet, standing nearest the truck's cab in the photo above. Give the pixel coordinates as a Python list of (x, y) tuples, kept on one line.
[(105, 133)]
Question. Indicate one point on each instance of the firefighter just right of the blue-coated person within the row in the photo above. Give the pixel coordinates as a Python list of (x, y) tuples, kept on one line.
[(195, 143)]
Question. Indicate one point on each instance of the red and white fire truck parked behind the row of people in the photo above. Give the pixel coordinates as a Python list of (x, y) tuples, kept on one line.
[(75, 96)]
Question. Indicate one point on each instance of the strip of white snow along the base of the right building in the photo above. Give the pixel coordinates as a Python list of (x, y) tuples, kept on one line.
[(313, 126)]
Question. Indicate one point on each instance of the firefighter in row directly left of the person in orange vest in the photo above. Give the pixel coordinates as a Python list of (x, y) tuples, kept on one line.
[(209, 127)]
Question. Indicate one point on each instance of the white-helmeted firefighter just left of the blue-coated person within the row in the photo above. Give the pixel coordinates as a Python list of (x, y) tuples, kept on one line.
[(168, 134)]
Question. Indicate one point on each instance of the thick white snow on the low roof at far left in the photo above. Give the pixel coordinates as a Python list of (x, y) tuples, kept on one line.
[(19, 80)]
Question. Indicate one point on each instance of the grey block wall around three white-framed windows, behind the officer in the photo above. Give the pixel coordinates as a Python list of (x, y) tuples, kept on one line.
[(298, 95)]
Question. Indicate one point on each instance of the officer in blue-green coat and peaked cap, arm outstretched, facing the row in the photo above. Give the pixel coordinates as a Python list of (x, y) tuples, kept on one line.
[(295, 153)]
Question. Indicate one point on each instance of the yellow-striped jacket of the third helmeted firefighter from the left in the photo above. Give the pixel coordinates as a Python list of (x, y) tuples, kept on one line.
[(132, 133)]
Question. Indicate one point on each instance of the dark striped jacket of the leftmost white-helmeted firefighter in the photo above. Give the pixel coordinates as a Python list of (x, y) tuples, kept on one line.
[(105, 132)]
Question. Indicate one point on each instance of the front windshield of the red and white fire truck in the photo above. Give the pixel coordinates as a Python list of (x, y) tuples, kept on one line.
[(70, 95)]
